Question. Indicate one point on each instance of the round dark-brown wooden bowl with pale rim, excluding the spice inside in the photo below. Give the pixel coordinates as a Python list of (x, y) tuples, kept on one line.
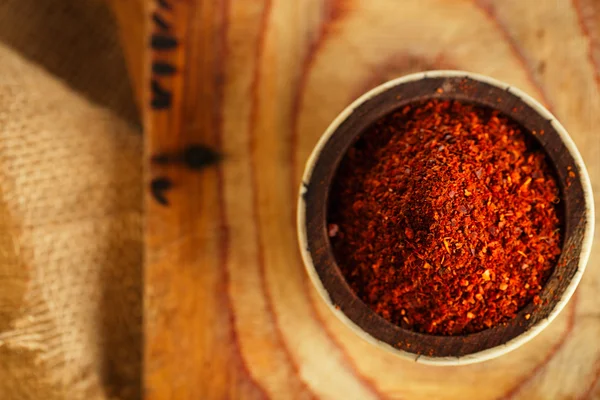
[(319, 260)]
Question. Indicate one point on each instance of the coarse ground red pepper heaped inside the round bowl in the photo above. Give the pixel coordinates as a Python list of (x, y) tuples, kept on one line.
[(443, 218)]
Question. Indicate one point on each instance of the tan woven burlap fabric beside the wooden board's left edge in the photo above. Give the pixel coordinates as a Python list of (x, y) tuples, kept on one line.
[(70, 206)]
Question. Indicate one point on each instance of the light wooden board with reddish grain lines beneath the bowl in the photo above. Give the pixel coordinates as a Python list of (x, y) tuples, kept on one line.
[(229, 310)]
